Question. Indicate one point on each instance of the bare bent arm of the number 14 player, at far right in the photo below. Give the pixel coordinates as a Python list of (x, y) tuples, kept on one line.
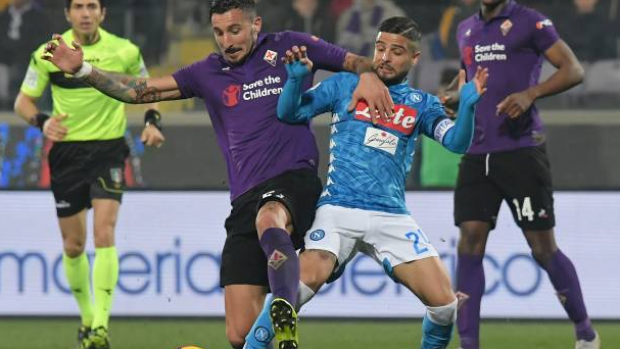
[(570, 73)]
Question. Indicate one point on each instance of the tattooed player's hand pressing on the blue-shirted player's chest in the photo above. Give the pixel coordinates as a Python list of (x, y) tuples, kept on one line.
[(371, 89)]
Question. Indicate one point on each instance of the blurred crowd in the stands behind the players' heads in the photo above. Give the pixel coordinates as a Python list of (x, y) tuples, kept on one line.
[(173, 33)]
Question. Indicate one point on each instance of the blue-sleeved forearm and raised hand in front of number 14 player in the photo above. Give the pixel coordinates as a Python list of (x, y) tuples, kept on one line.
[(459, 138)]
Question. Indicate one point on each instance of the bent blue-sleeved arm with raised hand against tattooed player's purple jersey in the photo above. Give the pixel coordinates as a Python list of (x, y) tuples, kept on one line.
[(293, 105)]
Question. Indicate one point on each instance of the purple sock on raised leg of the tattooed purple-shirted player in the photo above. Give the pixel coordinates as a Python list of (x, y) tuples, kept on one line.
[(282, 264)]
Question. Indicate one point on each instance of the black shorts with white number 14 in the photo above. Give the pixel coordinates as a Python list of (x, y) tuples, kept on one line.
[(522, 177)]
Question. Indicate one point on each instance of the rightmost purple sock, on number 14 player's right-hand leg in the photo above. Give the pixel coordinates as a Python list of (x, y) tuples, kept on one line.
[(564, 278)]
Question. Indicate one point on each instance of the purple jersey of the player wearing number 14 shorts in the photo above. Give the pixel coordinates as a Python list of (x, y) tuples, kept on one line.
[(512, 46)]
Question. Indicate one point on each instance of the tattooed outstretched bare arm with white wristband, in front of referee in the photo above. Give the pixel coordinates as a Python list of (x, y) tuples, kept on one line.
[(125, 88)]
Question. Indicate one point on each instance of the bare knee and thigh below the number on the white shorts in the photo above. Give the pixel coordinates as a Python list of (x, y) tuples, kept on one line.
[(428, 279)]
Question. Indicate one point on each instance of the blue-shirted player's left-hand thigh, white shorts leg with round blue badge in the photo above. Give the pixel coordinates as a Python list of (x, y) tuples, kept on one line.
[(335, 232)]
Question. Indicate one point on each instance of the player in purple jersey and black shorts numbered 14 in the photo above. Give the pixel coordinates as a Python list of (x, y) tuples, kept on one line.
[(508, 160)]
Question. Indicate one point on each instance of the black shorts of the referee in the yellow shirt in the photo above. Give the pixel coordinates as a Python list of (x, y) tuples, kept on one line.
[(86, 170)]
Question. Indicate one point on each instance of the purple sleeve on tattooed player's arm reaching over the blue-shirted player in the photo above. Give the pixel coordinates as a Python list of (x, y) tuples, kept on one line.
[(323, 54)]
